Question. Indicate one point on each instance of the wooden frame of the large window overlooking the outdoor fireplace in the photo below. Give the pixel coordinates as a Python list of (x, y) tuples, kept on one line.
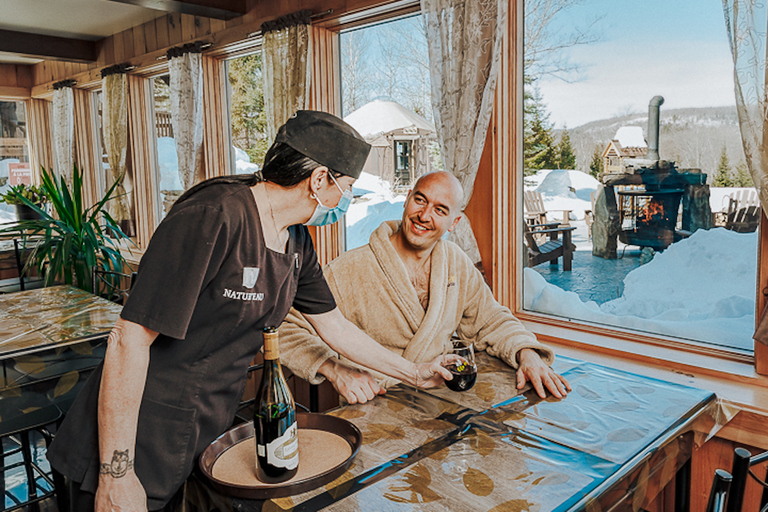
[(508, 256)]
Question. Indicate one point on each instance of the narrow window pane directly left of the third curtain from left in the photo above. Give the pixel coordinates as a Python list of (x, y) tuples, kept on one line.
[(169, 182)]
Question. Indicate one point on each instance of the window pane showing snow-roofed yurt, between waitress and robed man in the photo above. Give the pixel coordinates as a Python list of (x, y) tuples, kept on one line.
[(386, 97)]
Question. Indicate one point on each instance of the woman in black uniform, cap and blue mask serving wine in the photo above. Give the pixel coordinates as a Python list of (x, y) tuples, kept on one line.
[(230, 258)]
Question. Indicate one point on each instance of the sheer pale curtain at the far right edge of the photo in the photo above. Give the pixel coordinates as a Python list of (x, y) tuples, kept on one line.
[(747, 25)]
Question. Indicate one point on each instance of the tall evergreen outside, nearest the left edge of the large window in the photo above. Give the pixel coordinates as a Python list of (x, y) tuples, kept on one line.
[(539, 149)]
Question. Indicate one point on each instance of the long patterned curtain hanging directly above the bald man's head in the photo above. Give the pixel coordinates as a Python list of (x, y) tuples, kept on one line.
[(464, 39)]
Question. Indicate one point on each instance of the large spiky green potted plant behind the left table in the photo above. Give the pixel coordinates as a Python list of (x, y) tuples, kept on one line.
[(72, 239)]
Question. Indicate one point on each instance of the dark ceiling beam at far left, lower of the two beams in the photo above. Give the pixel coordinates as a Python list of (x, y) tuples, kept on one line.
[(47, 47)]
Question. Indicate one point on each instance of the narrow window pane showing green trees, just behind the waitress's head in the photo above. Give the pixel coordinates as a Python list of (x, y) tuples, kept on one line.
[(247, 117)]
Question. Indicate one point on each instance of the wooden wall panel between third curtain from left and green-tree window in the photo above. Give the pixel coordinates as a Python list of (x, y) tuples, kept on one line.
[(216, 140)]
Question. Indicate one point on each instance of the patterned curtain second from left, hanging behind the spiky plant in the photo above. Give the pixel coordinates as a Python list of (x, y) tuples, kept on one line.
[(115, 126)]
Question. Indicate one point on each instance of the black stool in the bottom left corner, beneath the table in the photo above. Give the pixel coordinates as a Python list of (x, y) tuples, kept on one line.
[(15, 430)]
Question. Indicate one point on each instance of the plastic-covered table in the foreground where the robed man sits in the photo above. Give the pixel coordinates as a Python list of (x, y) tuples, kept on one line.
[(615, 441)]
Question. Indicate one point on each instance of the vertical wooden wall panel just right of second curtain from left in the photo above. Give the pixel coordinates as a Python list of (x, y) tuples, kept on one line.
[(142, 140)]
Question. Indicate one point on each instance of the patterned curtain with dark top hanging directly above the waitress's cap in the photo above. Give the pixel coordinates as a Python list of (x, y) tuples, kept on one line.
[(285, 49)]
